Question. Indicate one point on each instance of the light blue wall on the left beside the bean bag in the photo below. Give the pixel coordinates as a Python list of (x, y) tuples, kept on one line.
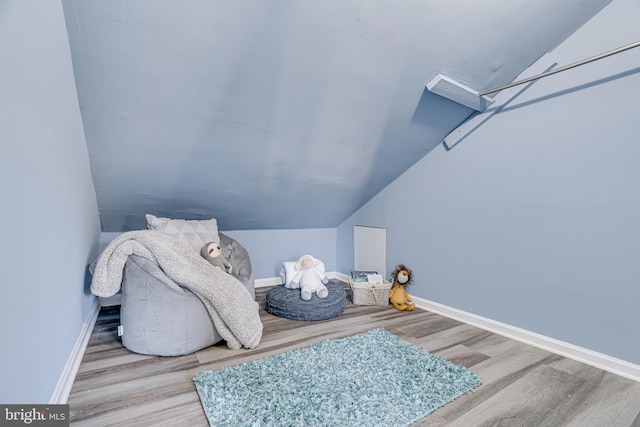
[(49, 212)]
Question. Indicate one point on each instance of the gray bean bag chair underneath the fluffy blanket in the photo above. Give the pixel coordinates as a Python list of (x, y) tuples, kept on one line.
[(161, 318)]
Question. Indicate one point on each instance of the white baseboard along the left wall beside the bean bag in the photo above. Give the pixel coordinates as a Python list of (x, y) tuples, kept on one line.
[(65, 382)]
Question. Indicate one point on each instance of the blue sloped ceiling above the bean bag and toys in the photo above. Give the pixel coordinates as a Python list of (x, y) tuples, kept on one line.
[(283, 114)]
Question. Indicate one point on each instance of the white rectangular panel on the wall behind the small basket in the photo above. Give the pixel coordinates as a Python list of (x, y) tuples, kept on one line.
[(370, 249)]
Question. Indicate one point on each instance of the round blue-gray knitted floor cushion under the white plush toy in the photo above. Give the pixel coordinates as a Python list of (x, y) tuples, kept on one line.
[(287, 303)]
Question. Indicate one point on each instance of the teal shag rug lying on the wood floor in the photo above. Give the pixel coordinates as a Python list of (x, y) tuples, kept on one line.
[(370, 379)]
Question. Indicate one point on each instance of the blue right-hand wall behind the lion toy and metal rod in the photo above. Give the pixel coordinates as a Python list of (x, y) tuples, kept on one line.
[(534, 219)]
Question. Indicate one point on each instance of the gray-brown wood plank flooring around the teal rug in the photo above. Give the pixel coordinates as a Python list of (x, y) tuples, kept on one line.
[(523, 385)]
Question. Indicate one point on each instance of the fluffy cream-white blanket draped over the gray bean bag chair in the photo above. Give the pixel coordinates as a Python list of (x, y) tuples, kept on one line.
[(234, 312)]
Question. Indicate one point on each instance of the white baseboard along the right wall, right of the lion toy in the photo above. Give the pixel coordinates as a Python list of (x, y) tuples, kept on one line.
[(580, 354)]
